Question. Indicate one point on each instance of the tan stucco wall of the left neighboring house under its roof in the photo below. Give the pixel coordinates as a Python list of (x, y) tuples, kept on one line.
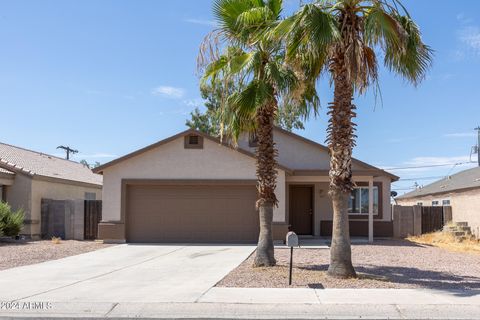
[(55, 191)]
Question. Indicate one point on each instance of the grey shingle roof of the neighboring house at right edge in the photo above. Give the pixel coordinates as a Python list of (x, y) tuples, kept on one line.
[(463, 180)]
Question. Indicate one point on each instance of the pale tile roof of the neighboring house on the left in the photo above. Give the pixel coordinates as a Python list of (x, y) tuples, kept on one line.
[(35, 163)]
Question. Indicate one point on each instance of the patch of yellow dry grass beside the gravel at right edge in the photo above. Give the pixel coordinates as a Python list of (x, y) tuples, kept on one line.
[(447, 241)]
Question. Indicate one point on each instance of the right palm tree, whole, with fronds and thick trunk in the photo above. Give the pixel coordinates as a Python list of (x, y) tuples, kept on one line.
[(341, 37)]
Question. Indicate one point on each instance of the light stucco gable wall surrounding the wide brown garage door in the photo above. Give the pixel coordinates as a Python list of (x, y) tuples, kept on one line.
[(173, 161)]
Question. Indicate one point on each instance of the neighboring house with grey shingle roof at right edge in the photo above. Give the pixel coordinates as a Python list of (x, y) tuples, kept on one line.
[(461, 191)]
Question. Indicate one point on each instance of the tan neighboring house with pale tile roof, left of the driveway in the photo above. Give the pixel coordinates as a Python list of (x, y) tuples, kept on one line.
[(27, 177)]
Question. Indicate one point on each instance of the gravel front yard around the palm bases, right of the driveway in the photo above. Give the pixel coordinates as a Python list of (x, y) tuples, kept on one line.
[(385, 264)]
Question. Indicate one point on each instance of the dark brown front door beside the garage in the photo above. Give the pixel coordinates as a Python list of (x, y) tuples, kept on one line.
[(301, 209)]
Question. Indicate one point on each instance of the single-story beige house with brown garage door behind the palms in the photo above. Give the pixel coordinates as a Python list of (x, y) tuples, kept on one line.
[(193, 188)]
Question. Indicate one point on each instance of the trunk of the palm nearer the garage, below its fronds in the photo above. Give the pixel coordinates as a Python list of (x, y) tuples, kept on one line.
[(267, 176)]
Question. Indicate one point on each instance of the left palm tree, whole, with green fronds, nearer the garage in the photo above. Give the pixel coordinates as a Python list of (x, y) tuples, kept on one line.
[(240, 51)]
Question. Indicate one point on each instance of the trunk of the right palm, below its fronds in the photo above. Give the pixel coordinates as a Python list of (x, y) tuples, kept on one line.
[(341, 141)]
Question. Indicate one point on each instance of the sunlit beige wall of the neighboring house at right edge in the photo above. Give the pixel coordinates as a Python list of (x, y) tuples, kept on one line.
[(465, 206)]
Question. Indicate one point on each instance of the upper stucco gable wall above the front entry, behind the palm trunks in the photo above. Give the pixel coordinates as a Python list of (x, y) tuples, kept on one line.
[(296, 154)]
